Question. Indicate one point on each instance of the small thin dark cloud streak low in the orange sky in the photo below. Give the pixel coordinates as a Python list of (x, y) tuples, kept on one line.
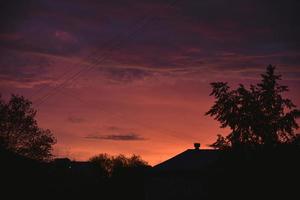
[(118, 137)]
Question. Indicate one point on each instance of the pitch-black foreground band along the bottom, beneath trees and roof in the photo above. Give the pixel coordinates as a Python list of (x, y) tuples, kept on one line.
[(236, 175)]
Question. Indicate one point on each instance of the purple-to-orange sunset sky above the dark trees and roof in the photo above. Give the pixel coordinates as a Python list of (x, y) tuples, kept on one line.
[(132, 76)]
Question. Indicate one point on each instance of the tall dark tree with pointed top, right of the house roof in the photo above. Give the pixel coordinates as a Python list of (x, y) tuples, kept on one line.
[(258, 116)]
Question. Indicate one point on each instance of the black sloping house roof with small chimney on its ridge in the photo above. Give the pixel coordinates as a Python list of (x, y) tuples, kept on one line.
[(189, 160)]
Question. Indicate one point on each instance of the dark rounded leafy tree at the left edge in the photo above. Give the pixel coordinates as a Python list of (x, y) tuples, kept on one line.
[(19, 131)]
